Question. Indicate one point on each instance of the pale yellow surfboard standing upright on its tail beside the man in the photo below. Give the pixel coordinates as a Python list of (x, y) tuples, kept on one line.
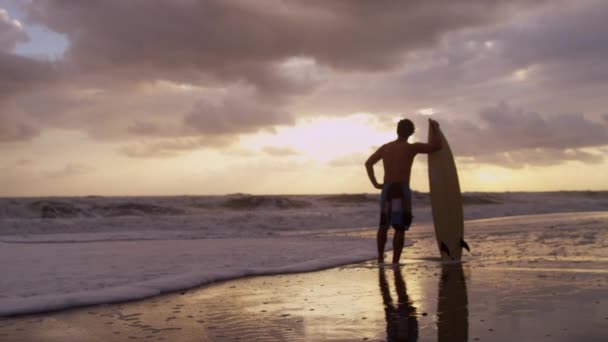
[(446, 202)]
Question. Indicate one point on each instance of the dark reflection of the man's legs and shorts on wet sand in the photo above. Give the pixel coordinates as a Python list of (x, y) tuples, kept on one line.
[(401, 320)]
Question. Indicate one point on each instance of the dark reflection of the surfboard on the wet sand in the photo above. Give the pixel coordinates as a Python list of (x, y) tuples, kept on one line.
[(452, 308)]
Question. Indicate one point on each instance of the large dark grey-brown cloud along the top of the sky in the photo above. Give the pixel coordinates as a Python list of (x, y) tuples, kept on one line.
[(246, 40)]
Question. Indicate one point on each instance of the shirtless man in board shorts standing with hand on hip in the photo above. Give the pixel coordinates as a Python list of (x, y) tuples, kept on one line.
[(396, 199)]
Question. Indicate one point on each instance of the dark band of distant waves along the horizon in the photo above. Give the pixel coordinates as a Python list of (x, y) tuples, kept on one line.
[(99, 207)]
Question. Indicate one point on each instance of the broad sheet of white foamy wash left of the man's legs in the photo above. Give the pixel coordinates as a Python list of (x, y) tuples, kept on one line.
[(43, 277)]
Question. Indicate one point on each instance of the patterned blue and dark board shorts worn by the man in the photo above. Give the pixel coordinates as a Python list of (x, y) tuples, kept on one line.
[(396, 206)]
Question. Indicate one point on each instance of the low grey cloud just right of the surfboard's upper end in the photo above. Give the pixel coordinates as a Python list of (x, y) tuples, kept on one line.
[(510, 136)]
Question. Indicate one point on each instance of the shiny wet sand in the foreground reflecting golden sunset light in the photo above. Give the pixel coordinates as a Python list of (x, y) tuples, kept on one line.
[(421, 300)]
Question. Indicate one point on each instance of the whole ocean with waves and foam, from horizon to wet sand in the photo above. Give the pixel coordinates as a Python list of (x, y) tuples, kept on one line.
[(62, 252)]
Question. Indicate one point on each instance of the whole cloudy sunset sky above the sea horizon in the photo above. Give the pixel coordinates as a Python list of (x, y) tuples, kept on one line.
[(186, 97)]
